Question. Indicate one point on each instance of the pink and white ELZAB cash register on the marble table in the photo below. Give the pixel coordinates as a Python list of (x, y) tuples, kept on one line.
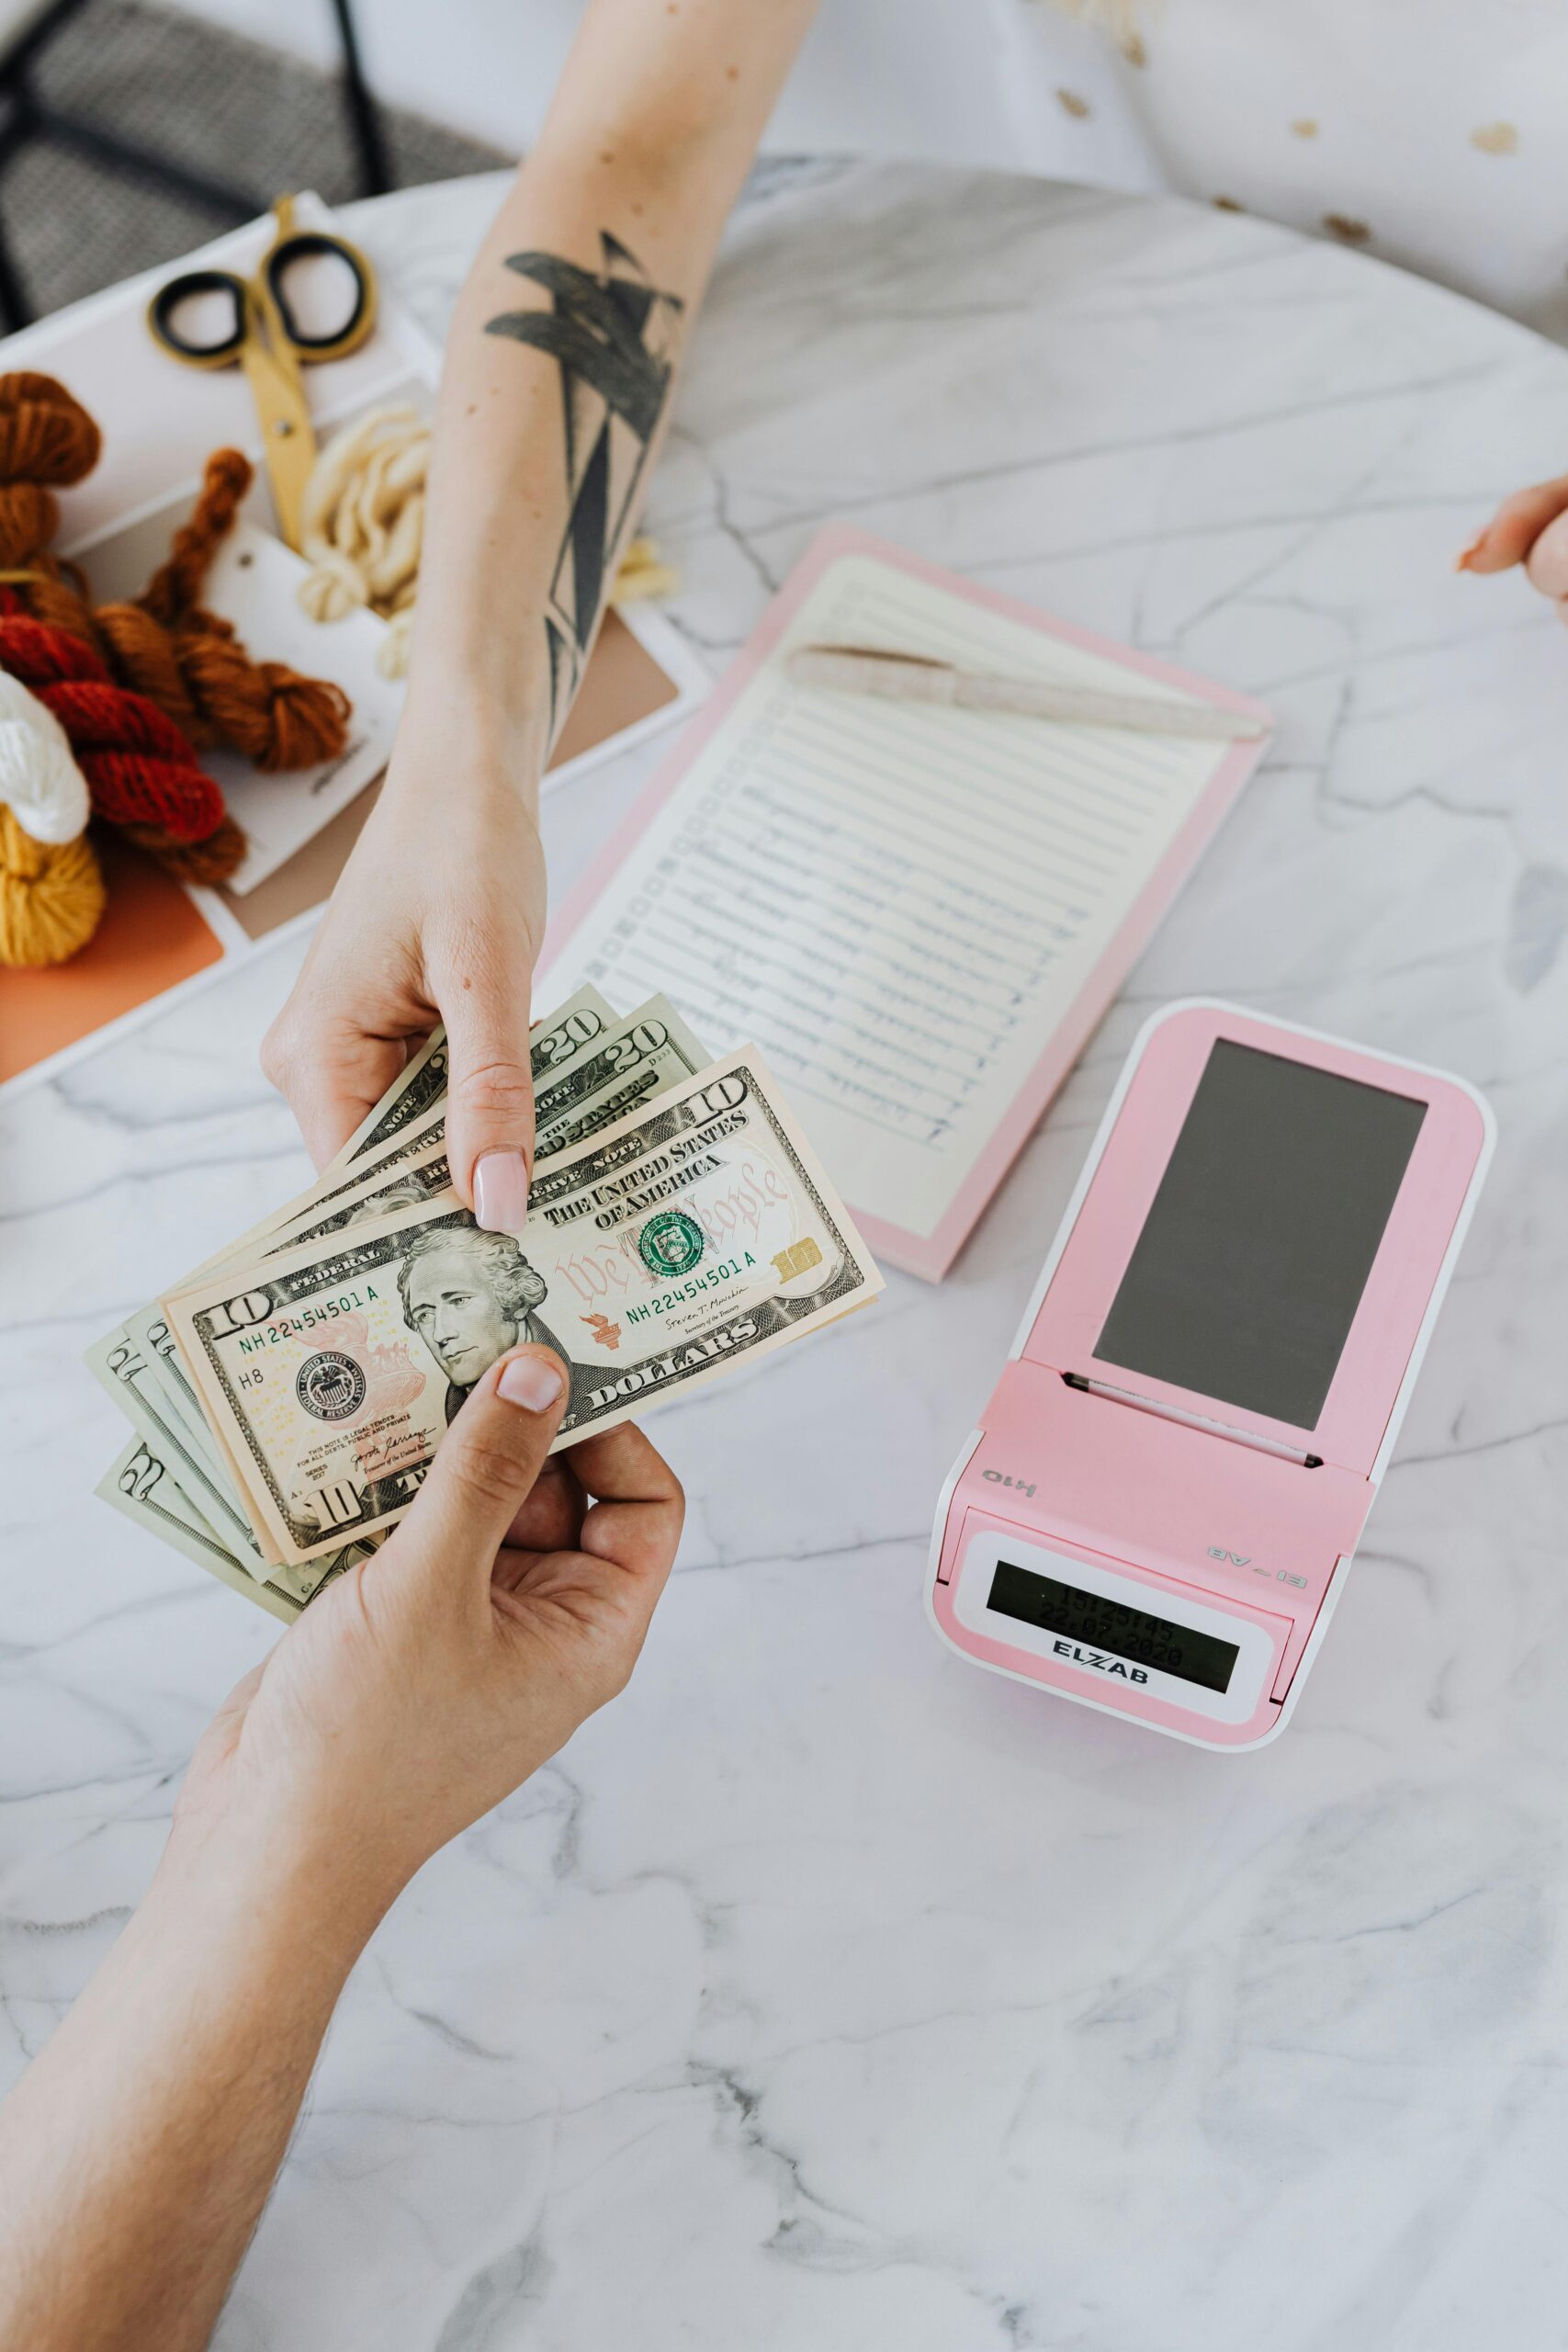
[(1167, 1490)]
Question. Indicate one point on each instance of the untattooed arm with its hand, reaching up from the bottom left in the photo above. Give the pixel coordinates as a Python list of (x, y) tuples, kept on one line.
[(413, 1695)]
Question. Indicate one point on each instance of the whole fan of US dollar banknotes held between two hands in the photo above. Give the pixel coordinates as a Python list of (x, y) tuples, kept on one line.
[(290, 1394)]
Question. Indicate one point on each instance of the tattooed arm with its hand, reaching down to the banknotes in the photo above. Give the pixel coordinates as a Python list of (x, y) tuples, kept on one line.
[(554, 401)]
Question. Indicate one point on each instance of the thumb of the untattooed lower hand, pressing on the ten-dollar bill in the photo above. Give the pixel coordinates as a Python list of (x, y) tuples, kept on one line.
[(485, 1466)]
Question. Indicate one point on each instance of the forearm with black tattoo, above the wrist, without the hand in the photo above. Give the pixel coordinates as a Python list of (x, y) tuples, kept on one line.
[(563, 359)]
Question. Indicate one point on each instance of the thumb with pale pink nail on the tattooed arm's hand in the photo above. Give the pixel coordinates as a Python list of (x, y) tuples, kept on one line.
[(490, 1102)]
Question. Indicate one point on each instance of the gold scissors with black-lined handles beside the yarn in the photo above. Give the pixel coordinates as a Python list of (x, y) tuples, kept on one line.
[(269, 342)]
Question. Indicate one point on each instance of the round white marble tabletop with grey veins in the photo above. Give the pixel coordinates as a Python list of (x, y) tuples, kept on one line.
[(831, 1993)]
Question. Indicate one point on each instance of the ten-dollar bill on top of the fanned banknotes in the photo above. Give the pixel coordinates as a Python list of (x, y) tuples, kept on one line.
[(683, 1241)]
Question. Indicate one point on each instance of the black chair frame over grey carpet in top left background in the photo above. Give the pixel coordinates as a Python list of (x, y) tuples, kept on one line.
[(27, 29)]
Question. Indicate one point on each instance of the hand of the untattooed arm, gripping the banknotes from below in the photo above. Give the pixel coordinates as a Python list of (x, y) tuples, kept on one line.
[(424, 1685)]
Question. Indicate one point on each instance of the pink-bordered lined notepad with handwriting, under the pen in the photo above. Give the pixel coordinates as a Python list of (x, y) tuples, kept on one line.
[(916, 914)]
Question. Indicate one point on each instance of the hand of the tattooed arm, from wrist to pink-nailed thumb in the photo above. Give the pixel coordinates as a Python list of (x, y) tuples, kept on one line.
[(438, 916)]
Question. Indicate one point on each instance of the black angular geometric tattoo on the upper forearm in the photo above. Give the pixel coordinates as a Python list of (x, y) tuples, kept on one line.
[(612, 338)]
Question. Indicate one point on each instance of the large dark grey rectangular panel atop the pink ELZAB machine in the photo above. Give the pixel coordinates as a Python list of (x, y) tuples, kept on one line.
[(1257, 1250)]
